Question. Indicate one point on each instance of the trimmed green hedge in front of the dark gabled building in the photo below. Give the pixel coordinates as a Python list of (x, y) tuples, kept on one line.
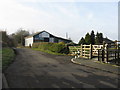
[(54, 47)]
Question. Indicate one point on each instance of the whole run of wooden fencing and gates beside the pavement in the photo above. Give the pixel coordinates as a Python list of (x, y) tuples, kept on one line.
[(104, 52)]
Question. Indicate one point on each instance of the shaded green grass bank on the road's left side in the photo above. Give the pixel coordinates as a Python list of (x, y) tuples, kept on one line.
[(7, 57)]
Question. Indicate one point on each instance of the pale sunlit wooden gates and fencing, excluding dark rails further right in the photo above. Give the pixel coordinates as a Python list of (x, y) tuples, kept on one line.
[(86, 51)]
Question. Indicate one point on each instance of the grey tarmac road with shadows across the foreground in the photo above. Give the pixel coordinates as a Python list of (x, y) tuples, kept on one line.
[(35, 69)]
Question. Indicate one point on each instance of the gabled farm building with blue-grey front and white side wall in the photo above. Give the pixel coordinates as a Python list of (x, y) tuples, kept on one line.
[(43, 36)]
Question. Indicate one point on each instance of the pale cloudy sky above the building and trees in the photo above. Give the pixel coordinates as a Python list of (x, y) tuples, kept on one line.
[(76, 17)]
